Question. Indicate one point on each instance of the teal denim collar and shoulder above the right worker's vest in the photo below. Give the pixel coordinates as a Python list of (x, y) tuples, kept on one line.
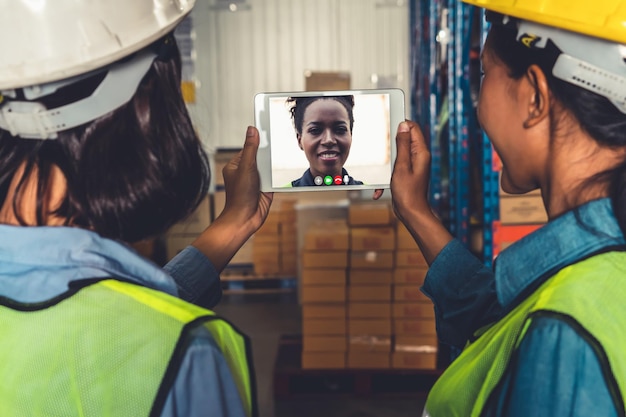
[(575, 235)]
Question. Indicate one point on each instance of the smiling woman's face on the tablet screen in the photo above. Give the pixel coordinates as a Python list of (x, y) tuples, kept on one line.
[(326, 136)]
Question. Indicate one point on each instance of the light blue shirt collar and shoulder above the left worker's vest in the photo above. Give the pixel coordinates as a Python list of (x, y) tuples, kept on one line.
[(38, 263)]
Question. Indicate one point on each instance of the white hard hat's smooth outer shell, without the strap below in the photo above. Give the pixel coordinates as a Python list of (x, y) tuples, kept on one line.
[(49, 40)]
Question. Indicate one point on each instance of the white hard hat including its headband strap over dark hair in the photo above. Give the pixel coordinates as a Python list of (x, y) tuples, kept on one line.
[(56, 43)]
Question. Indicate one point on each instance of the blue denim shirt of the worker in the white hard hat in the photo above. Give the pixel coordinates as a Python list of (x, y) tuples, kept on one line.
[(38, 263)]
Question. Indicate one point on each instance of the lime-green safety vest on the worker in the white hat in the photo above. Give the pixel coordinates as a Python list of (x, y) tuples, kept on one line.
[(108, 348)]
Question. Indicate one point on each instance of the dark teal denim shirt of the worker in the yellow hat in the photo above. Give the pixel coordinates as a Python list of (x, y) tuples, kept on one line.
[(555, 371)]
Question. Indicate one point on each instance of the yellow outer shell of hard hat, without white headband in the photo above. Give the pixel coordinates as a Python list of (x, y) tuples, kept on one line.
[(604, 19)]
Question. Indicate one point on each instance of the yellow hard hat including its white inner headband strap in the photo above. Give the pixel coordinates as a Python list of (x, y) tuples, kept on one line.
[(590, 35)]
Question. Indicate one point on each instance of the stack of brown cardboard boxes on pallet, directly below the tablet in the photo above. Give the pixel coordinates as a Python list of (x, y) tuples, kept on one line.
[(361, 303)]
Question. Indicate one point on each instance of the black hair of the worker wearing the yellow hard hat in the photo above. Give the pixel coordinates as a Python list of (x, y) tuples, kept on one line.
[(596, 114)]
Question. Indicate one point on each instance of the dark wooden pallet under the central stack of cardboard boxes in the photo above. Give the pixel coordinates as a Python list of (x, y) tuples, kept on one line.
[(292, 382)]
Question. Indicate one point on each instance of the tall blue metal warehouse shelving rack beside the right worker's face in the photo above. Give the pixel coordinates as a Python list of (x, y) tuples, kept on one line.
[(443, 38)]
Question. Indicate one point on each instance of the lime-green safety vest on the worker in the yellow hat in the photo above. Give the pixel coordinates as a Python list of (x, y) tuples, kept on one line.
[(585, 292)]
